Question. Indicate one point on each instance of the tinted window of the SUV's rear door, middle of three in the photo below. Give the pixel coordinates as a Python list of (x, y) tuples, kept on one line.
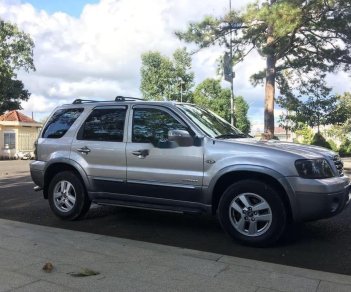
[(104, 125)]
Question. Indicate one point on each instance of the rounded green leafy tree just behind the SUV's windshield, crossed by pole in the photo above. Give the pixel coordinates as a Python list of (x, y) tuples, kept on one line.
[(211, 95)]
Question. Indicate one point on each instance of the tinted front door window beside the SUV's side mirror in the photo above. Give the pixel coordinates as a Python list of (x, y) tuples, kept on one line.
[(152, 126)]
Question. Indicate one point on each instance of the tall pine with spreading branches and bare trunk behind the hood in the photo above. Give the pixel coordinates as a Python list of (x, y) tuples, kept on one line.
[(302, 36)]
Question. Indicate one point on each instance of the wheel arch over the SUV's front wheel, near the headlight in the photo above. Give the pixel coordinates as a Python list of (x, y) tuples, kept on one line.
[(229, 177)]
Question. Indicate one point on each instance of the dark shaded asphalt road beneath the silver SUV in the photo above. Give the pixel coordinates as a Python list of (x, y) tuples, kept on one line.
[(323, 245)]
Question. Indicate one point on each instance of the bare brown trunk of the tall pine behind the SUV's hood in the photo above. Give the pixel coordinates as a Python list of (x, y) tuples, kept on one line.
[(270, 84)]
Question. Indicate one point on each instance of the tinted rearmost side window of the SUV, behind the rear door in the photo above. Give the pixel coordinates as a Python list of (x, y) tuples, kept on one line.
[(60, 122)]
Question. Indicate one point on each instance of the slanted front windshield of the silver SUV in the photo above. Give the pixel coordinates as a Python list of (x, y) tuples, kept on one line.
[(211, 124)]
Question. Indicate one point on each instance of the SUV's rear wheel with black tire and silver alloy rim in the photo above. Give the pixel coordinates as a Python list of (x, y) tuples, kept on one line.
[(62, 206)]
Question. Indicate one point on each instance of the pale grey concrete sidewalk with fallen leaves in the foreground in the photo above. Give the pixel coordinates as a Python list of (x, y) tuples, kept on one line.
[(127, 265)]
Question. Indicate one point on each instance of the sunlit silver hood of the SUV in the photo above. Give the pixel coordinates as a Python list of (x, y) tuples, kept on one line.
[(304, 151)]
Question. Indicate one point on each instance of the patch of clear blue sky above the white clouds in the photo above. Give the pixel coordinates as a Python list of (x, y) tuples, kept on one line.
[(71, 7)]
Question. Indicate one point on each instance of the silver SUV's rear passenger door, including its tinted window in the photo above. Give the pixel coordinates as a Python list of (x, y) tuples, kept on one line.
[(100, 149)]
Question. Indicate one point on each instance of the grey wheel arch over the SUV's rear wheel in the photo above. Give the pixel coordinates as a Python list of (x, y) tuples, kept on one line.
[(60, 166)]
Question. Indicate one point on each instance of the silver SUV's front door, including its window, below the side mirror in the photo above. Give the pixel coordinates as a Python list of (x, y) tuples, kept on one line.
[(156, 167)]
